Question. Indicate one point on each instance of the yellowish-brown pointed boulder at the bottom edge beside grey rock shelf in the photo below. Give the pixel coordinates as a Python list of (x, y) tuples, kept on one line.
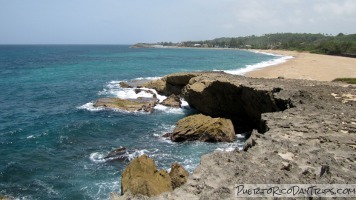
[(142, 177)]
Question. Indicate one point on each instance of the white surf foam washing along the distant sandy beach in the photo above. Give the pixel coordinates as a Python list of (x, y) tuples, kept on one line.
[(280, 59)]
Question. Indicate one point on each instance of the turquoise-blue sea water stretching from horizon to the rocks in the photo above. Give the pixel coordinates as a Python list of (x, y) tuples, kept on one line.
[(53, 142)]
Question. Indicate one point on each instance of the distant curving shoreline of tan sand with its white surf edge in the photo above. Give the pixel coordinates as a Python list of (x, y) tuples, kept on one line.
[(292, 65)]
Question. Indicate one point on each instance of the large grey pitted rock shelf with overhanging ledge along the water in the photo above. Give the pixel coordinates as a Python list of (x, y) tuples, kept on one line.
[(301, 132)]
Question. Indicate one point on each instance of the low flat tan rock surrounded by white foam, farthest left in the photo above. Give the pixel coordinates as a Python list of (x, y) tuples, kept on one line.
[(139, 104)]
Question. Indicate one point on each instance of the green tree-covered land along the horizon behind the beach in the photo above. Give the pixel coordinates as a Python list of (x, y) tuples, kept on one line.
[(341, 44)]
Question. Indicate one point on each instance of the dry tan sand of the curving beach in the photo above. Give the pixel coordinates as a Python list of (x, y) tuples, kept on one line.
[(308, 66)]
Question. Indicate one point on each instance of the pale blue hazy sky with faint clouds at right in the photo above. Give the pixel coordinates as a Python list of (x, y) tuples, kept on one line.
[(133, 21)]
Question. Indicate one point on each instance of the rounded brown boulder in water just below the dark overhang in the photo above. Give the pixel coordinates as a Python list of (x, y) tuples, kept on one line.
[(203, 128)]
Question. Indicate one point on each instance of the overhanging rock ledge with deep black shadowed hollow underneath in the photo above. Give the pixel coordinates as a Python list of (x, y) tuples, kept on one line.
[(223, 96)]
